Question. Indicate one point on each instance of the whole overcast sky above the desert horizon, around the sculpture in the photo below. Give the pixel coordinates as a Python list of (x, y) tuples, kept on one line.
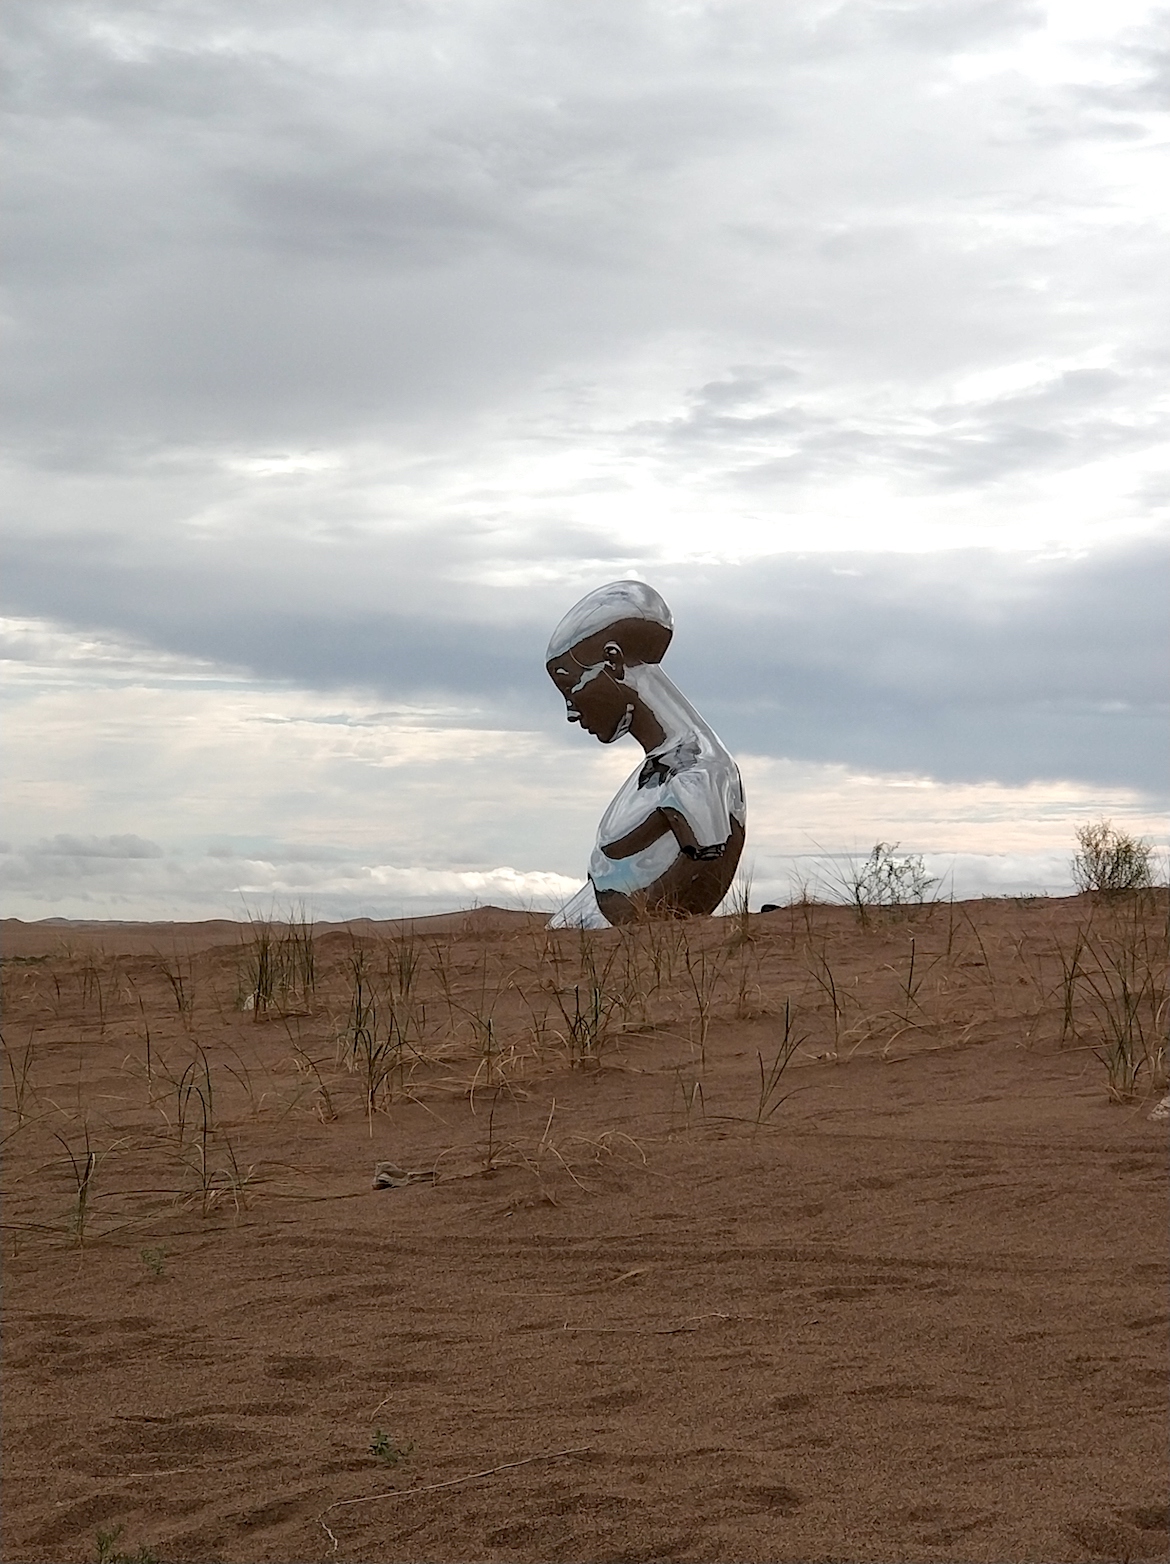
[(350, 343)]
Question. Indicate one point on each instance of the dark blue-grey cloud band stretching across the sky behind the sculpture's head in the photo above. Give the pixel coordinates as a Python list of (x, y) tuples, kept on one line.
[(971, 665)]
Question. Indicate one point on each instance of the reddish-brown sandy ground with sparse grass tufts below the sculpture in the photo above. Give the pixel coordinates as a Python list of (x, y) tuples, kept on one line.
[(648, 1296)]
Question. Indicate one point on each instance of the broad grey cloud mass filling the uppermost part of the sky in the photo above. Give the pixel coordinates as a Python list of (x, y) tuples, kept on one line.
[(254, 221)]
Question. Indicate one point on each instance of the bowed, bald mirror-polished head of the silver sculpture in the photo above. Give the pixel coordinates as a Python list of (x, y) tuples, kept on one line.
[(616, 628)]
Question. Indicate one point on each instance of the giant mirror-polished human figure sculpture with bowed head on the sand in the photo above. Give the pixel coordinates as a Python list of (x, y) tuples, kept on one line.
[(673, 836)]
